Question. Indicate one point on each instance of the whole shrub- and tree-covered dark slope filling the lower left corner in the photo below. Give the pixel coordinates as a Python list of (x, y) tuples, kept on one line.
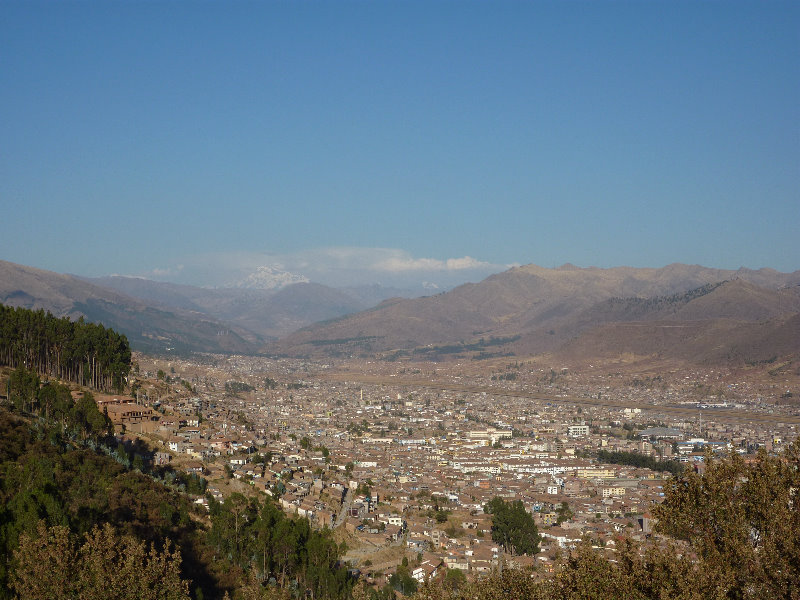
[(77, 514)]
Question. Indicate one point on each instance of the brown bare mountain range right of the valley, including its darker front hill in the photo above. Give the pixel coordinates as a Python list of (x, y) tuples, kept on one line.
[(680, 311)]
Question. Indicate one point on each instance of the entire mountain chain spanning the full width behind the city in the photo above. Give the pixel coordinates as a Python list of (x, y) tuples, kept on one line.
[(680, 311)]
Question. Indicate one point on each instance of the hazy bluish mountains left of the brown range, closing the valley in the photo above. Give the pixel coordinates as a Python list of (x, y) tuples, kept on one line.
[(160, 317)]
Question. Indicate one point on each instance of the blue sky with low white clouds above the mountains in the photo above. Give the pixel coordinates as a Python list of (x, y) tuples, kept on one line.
[(424, 139)]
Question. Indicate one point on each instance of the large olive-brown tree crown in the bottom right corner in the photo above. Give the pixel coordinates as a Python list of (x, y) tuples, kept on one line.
[(743, 520)]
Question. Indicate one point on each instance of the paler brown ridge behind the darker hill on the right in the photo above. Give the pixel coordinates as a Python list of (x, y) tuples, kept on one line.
[(547, 307)]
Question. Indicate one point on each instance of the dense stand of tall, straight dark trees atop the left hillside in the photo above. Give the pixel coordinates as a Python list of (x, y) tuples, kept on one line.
[(76, 351)]
